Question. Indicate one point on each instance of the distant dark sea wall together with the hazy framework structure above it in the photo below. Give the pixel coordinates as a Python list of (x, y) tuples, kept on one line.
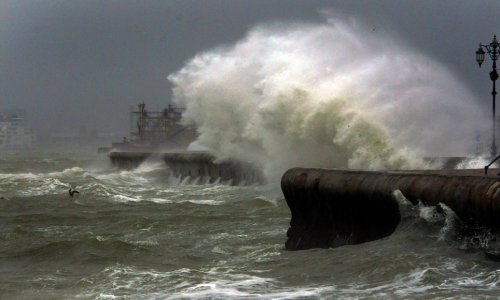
[(162, 135)]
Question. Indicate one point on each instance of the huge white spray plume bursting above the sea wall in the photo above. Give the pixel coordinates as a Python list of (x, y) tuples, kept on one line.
[(324, 95)]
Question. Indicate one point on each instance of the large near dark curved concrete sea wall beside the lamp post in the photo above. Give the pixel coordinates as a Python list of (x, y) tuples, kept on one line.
[(336, 207)]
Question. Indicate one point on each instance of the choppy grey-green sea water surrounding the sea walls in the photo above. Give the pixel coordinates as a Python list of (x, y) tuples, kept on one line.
[(143, 235)]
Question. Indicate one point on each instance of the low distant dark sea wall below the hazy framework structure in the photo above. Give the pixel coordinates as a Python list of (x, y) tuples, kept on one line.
[(193, 165)]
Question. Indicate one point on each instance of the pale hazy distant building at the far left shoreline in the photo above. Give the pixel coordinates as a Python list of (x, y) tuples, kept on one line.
[(15, 134)]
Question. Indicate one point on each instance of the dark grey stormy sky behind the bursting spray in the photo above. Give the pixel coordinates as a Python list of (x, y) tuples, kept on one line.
[(83, 63)]
